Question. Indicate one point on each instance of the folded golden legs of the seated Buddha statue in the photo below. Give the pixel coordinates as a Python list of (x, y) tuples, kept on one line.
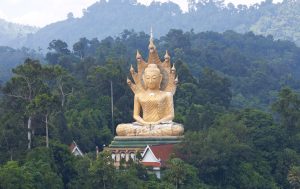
[(167, 129)]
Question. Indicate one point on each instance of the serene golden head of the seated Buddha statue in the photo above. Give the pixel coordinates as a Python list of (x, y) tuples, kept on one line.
[(152, 77)]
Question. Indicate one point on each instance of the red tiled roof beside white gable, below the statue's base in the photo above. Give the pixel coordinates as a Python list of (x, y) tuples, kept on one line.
[(163, 151)]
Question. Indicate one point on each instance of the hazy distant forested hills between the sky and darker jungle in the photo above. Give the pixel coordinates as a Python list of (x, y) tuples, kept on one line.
[(279, 20)]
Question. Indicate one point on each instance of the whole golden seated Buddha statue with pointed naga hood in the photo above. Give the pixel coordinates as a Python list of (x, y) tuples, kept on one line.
[(154, 86)]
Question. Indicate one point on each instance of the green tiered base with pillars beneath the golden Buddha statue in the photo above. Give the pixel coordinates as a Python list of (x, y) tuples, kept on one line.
[(127, 147)]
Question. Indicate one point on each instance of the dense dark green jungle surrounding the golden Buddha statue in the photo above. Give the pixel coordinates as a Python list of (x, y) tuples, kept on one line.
[(237, 98)]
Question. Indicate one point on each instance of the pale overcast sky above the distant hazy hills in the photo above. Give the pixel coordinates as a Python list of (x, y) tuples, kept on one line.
[(43, 12)]
